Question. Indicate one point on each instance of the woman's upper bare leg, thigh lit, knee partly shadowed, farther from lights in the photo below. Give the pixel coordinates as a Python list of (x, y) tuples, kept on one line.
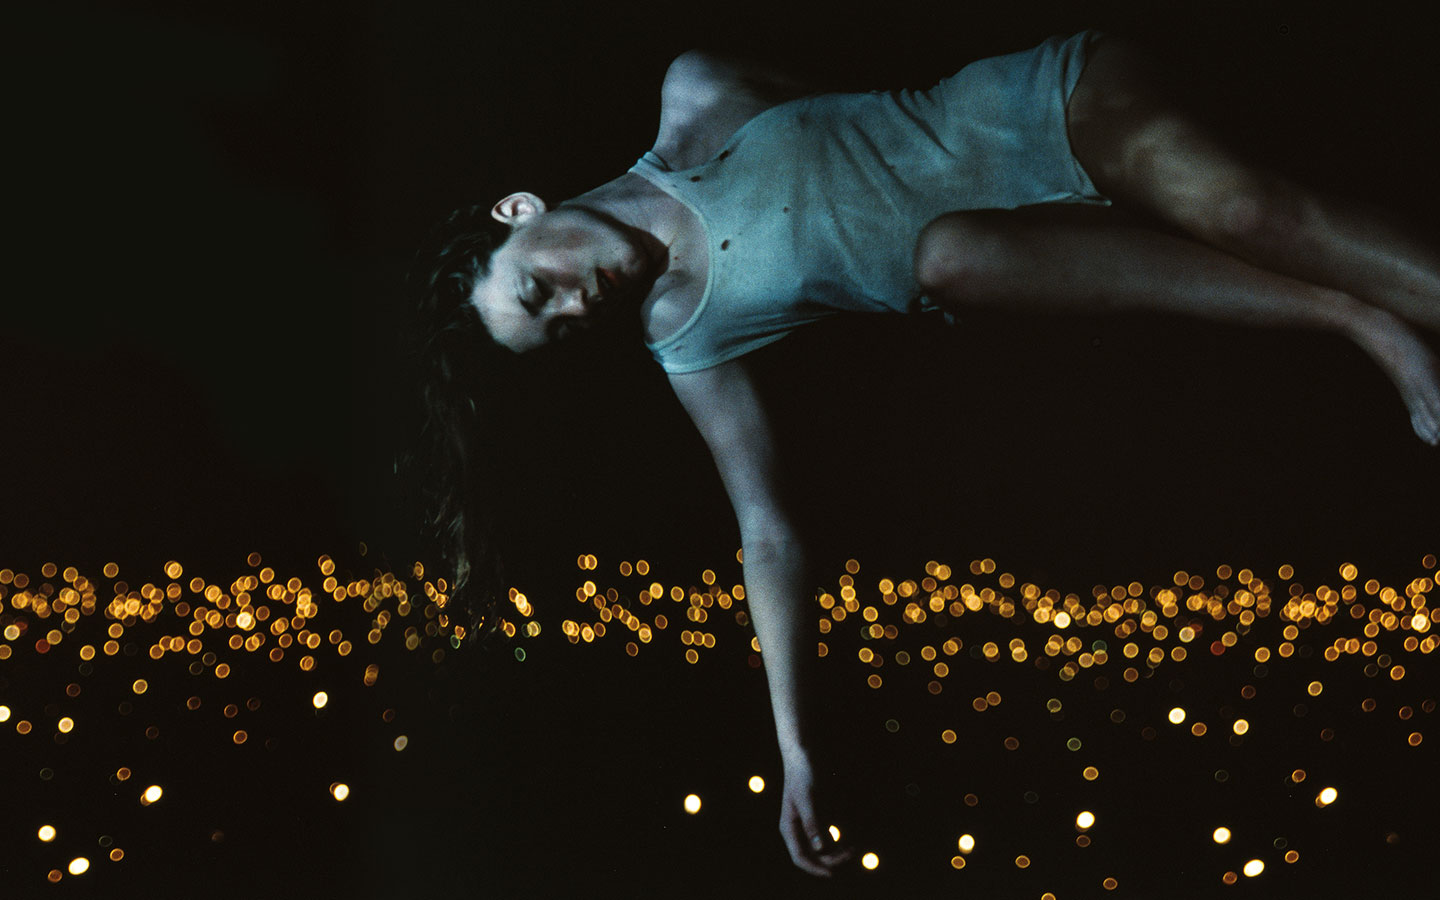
[(1144, 152)]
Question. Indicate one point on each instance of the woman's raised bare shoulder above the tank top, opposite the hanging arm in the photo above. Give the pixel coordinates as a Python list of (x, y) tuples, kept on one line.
[(706, 97)]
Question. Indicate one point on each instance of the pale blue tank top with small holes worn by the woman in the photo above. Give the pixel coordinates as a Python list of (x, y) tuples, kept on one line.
[(814, 207)]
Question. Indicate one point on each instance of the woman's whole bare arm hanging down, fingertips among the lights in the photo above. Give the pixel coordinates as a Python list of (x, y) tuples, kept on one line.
[(726, 410)]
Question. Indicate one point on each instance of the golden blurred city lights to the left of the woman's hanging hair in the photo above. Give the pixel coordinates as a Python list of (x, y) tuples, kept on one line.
[(214, 629)]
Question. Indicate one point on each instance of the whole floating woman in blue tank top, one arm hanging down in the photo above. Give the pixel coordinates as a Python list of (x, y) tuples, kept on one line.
[(764, 207)]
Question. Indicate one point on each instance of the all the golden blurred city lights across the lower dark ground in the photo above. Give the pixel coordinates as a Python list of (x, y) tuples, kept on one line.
[(1125, 626)]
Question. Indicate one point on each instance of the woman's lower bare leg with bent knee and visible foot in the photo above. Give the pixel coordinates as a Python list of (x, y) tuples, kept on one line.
[(1094, 260)]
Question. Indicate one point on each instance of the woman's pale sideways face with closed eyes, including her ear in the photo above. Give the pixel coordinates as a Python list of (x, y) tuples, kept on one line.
[(557, 273)]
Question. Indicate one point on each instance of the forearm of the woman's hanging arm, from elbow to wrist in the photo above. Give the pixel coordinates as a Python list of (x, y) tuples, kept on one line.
[(775, 570)]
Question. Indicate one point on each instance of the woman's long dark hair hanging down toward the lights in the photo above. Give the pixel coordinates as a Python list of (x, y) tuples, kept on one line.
[(457, 365)]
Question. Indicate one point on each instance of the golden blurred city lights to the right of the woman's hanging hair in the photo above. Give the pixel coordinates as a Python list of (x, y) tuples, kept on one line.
[(1148, 629)]
